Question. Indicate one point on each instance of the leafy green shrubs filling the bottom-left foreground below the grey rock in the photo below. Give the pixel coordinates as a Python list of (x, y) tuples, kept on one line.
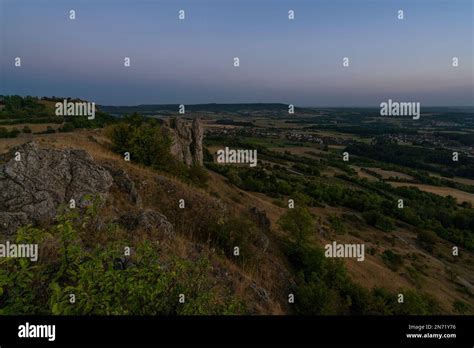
[(102, 284)]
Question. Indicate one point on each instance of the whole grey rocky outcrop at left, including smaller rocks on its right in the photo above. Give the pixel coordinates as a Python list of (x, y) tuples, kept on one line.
[(35, 182)]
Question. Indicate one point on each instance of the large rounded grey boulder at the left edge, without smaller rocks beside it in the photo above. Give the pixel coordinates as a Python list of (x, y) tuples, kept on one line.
[(32, 189)]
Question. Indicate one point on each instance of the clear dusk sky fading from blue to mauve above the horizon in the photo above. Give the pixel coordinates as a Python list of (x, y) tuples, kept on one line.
[(191, 61)]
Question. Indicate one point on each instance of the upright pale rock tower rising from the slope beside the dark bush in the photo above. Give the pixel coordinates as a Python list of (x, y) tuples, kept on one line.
[(186, 141)]
